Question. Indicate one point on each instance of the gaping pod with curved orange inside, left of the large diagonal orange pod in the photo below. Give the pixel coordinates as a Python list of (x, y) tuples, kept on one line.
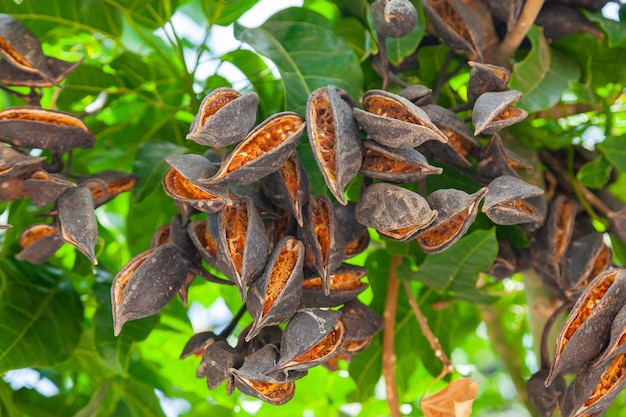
[(181, 183)]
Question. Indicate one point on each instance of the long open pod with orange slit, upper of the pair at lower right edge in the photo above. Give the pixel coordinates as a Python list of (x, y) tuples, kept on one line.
[(586, 331)]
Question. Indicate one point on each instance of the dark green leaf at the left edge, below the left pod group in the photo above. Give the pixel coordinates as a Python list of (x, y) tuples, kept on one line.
[(42, 316)]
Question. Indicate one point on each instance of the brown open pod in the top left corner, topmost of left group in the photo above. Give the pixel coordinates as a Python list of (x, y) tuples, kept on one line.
[(21, 48)]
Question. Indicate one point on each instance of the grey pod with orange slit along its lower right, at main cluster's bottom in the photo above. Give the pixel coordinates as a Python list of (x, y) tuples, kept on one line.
[(311, 337)]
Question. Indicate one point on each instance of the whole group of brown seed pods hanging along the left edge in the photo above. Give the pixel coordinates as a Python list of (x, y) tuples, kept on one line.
[(30, 130)]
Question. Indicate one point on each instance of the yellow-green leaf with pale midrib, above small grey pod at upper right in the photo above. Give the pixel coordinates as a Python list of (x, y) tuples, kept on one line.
[(543, 75)]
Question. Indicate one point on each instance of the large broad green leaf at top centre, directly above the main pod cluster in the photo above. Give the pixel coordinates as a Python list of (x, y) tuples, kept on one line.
[(307, 52)]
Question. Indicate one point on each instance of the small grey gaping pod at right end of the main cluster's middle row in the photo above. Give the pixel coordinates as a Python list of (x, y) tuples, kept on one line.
[(508, 202)]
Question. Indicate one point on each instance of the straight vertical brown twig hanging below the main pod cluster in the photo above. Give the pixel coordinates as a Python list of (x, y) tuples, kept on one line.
[(389, 355)]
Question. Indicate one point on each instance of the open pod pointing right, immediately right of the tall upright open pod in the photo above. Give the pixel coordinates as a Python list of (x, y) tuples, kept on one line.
[(394, 121)]
